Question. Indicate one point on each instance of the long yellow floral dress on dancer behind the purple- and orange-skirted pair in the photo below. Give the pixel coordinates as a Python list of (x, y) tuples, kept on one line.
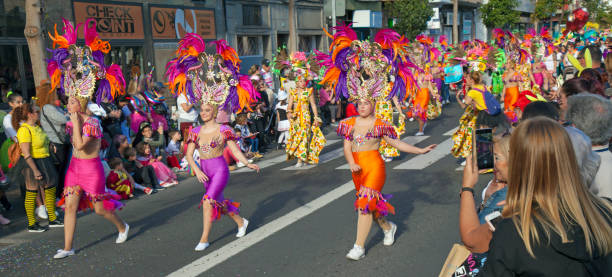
[(305, 140)]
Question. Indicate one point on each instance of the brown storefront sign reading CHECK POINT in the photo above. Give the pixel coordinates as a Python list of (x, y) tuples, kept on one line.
[(114, 21)]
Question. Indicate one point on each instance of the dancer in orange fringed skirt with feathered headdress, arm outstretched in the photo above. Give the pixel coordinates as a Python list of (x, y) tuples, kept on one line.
[(367, 78)]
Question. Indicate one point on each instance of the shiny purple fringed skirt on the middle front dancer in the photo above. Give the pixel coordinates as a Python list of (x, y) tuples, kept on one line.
[(218, 174)]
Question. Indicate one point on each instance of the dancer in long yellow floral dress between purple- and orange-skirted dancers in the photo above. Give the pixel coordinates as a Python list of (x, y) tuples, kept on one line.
[(305, 137)]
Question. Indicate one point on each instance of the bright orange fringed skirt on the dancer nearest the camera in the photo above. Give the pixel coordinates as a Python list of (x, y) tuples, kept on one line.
[(368, 184)]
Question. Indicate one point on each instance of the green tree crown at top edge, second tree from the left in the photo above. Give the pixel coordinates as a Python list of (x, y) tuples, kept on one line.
[(500, 13)]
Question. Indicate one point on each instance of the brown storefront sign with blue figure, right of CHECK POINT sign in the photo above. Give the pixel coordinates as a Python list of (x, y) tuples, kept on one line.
[(174, 23)]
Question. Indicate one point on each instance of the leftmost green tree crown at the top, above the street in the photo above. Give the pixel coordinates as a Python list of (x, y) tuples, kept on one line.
[(411, 16)]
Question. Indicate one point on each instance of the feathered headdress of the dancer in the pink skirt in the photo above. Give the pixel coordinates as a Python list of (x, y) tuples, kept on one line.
[(78, 70)]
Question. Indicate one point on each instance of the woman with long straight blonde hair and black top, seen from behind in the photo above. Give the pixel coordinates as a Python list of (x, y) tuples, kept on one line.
[(552, 226)]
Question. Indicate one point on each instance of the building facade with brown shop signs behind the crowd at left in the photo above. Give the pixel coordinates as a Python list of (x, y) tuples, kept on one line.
[(146, 32)]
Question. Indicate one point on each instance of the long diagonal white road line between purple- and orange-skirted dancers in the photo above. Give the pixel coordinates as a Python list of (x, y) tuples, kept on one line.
[(220, 255)]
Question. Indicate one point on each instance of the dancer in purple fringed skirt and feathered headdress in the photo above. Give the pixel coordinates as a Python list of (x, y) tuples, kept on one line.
[(222, 88)]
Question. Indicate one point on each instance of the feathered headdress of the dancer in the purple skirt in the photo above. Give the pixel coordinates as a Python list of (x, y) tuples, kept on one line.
[(209, 78)]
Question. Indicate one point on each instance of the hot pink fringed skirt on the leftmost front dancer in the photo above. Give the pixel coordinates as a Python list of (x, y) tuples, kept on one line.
[(85, 178)]
